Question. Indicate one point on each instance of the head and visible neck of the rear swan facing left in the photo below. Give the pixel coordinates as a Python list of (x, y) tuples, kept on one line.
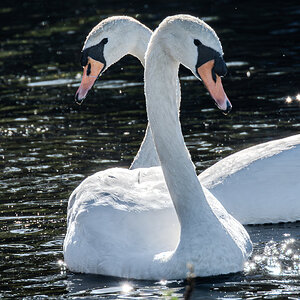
[(126, 36)]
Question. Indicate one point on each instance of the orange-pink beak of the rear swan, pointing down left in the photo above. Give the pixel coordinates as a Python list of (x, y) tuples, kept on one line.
[(90, 73)]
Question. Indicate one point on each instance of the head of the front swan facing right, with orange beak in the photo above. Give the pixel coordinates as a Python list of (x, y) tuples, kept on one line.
[(195, 44)]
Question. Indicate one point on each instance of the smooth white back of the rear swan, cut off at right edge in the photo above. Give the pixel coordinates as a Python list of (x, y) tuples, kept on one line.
[(259, 184)]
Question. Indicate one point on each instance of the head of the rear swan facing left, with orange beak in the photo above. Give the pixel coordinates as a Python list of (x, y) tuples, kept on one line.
[(107, 43)]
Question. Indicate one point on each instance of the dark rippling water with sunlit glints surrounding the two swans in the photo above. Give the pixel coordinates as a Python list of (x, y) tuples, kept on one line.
[(48, 144)]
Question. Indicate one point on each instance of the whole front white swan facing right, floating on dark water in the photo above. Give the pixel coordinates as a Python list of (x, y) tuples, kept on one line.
[(117, 219)]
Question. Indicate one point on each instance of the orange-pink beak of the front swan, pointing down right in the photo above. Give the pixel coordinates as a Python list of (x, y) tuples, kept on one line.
[(215, 88)]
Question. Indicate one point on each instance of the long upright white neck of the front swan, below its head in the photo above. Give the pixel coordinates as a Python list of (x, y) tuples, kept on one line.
[(161, 76)]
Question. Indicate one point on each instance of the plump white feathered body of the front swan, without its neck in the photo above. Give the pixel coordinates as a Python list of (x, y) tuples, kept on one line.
[(133, 224)]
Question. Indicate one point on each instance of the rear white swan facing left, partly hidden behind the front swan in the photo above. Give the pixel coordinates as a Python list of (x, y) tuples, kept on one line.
[(256, 185)]
